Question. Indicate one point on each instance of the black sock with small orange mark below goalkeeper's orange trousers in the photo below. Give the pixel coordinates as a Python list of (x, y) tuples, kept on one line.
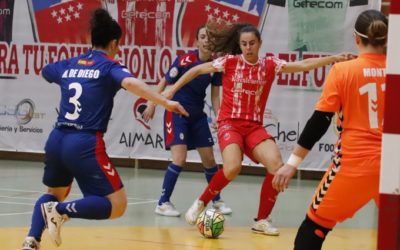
[(310, 235)]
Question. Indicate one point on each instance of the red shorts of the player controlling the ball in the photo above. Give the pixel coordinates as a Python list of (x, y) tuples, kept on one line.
[(247, 134)]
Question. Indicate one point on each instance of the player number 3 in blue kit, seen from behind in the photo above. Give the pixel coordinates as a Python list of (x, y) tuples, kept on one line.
[(75, 148)]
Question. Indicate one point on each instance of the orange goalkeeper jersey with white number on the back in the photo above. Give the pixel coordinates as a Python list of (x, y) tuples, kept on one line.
[(355, 90)]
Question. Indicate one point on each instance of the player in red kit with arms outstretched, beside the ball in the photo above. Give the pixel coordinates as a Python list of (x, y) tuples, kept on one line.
[(246, 80)]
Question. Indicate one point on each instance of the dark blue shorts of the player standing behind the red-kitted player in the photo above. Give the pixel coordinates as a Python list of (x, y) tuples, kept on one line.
[(192, 131)]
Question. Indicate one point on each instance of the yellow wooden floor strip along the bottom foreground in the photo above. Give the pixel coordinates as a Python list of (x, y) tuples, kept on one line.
[(144, 238)]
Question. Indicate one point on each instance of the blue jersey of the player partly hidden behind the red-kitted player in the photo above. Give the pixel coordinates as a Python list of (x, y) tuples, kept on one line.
[(192, 95)]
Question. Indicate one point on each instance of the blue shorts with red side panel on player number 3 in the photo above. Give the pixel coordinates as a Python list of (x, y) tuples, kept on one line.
[(70, 154)]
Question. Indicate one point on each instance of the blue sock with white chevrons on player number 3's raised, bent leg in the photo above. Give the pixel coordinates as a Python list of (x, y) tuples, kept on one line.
[(90, 207)]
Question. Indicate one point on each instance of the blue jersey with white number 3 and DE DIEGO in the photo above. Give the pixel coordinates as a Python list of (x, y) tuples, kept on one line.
[(88, 85)]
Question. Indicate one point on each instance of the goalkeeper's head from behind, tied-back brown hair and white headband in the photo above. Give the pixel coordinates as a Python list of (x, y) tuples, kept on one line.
[(372, 27)]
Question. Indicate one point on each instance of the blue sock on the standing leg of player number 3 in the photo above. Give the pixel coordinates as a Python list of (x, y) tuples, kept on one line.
[(38, 224)]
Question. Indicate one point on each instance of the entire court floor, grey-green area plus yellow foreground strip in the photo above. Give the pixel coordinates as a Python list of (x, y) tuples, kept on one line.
[(141, 228)]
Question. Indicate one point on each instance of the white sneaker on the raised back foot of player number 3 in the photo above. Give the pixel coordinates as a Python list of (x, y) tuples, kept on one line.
[(53, 220)]
